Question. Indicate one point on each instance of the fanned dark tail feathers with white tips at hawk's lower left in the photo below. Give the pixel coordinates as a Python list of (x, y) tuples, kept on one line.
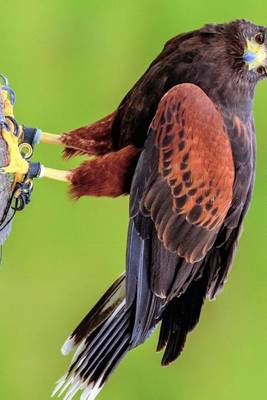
[(102, 339)]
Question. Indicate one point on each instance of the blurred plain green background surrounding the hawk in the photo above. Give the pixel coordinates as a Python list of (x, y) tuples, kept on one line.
[(71, 62)]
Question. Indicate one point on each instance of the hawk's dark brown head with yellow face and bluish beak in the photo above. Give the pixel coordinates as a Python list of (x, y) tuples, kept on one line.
[(226, 60)]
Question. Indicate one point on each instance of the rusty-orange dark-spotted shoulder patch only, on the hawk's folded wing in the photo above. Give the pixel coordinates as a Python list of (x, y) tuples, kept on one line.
[(195, 152)]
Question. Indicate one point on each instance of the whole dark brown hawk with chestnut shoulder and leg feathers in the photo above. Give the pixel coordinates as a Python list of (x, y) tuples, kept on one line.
[(182, 145)]
